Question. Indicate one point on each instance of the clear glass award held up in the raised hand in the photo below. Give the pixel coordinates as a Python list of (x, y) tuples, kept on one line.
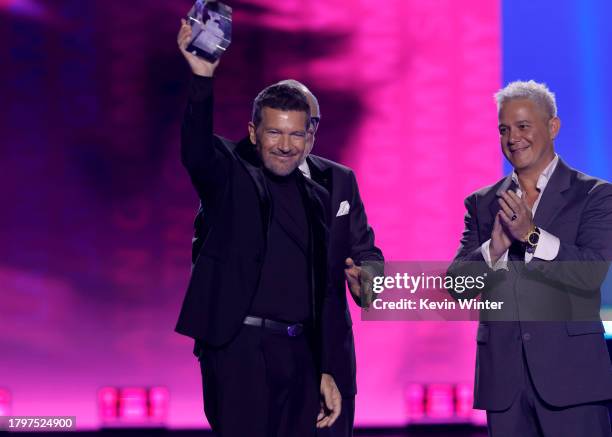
[(211, 24)]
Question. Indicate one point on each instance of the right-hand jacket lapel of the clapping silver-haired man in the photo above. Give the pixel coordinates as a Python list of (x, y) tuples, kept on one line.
[(553, 200)]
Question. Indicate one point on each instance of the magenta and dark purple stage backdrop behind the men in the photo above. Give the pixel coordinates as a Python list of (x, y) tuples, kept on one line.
[(97, 212)]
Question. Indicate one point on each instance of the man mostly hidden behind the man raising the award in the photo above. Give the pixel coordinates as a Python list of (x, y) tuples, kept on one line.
[(353, 256)]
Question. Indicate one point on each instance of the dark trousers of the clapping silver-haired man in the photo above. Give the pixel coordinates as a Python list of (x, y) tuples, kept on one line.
[(530, 416)]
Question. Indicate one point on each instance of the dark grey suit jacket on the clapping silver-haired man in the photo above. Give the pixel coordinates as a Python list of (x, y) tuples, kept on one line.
[(568, 360)]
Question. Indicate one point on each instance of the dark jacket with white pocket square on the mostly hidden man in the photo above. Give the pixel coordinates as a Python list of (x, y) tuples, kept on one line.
[(350, 236)]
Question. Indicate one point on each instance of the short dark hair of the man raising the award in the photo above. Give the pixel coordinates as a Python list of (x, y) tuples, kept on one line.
[(282, 97)]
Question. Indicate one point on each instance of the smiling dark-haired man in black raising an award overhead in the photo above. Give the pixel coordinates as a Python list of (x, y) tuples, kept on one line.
[(258, 295)]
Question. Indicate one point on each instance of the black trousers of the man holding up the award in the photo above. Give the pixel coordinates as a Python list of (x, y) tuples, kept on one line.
[(262, 384)]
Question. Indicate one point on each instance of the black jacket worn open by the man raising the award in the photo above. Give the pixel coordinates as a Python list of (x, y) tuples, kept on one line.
[(229, 180)]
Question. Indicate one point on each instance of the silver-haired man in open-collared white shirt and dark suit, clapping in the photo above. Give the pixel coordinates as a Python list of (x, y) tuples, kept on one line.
[(544, 237)]
